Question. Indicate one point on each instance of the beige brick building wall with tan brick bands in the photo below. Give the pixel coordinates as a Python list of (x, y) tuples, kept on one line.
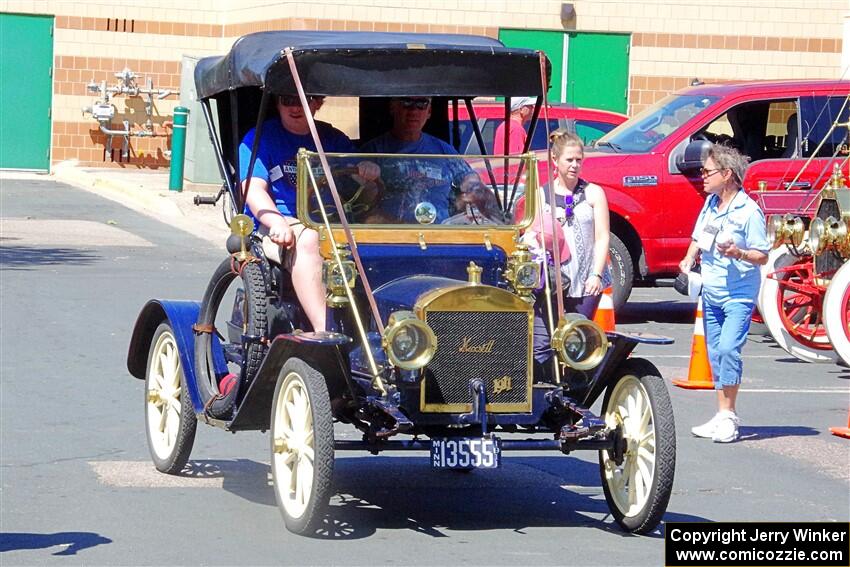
[(672, 42)]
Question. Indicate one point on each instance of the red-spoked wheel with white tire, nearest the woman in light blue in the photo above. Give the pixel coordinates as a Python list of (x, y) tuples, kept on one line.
[(791, 302)]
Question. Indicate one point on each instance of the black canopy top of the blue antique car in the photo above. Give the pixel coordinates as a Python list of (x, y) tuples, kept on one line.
[(335, 63)]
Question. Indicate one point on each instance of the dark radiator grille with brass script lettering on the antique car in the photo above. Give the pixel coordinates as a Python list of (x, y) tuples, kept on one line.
[(492, 347)]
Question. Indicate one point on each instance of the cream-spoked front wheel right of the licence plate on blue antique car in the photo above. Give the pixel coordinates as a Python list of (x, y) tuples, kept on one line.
[(636, 512)]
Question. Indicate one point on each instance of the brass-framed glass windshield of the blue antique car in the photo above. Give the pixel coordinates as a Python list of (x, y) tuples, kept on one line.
[(415, 190)]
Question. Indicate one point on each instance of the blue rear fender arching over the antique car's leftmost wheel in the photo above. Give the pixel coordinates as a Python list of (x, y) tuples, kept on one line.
[(181, 315)]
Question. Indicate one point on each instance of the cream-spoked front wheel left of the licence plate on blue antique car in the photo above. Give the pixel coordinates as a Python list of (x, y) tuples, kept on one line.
[(295, 379)]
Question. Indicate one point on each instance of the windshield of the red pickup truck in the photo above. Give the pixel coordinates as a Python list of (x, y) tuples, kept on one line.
[(646, 130)]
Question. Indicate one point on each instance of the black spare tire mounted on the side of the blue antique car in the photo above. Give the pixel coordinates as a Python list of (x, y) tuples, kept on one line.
[(255, 316)]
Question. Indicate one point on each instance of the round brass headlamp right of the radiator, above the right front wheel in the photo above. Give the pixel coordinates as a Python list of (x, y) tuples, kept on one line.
[(580, 343)]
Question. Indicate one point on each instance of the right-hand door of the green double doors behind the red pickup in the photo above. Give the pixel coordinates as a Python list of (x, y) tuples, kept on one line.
[(597, 70)]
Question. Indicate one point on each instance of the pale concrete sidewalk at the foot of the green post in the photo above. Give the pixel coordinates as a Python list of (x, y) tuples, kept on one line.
[(147, 192)]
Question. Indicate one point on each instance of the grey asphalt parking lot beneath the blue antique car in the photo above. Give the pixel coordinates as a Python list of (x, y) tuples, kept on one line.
[(77, 485)]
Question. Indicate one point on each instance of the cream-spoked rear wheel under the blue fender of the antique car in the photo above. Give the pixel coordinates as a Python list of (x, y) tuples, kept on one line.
[(170, 421)]
